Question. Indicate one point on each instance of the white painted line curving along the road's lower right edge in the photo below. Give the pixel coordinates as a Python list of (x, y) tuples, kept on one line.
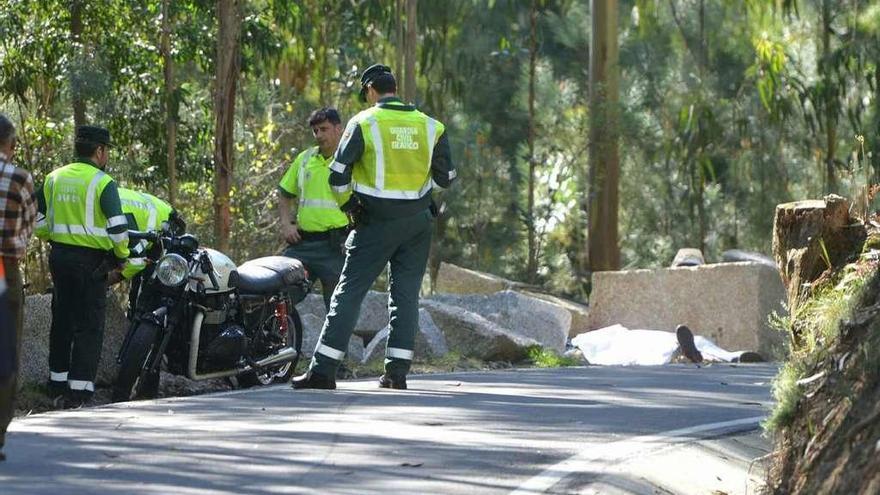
[(595, 459)]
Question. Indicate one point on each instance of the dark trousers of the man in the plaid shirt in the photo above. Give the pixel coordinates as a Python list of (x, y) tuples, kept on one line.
[(8, 385)]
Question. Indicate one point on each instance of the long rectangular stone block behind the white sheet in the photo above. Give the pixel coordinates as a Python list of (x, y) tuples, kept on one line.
[(727, 302)]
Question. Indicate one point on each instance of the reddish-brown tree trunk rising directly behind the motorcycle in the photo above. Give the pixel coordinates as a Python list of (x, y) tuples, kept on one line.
[(228, 66)]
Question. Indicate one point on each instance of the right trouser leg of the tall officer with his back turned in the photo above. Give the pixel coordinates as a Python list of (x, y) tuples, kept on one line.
[(407, 270)]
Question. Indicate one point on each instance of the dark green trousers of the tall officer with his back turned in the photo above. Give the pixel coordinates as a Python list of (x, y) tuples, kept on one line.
[(402, 242)]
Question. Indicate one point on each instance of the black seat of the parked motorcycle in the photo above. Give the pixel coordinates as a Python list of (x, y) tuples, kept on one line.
[(267, 275)]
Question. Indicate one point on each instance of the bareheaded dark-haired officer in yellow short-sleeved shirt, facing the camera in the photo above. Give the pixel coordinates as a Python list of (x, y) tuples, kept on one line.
[(317, 234)]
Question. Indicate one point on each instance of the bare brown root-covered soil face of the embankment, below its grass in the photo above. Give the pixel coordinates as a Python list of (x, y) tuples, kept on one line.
[(832, 444)]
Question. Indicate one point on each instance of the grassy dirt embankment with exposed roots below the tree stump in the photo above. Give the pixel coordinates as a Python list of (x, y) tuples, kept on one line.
[(827, 418)]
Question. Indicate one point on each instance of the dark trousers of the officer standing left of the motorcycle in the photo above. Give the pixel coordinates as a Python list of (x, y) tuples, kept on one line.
[(79, 306)]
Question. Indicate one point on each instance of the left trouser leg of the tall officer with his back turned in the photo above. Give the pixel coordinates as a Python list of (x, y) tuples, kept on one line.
[(367, 252)]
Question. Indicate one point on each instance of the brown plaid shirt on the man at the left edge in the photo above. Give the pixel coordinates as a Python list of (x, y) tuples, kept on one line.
[(18, 209)]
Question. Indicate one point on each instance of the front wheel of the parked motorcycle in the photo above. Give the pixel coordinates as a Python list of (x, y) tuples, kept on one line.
[(133, 381)]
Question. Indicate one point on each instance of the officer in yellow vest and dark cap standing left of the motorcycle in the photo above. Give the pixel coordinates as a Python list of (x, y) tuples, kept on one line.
[(79, 213)]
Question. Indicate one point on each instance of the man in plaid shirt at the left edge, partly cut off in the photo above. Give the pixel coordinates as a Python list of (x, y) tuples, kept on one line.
[(18, 210)]
